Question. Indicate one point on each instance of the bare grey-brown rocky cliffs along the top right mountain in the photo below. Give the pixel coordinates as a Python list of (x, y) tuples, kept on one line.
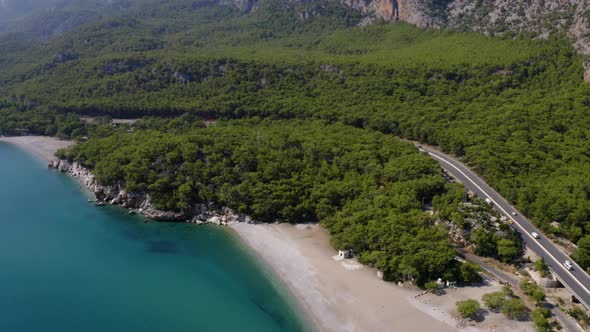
[(537, 17)]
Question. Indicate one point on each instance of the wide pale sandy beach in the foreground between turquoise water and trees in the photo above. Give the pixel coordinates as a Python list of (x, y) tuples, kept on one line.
[(340, 295)]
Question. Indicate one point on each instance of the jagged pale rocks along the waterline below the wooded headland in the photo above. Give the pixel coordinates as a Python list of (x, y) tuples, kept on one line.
[(141, 202)]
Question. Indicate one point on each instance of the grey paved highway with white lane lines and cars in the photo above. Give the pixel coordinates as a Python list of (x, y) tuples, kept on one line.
[(576, 279)]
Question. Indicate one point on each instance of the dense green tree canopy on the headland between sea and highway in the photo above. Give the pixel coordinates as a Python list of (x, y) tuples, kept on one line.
[(364, 186)]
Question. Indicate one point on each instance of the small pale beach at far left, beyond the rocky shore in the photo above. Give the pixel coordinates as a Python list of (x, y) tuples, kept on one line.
[(42, 147)]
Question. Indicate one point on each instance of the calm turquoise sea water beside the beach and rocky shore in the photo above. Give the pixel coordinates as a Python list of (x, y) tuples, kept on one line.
[(66, 265)]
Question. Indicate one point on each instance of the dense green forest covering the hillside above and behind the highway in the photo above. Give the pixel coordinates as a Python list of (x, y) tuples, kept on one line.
[(517, 113)]
